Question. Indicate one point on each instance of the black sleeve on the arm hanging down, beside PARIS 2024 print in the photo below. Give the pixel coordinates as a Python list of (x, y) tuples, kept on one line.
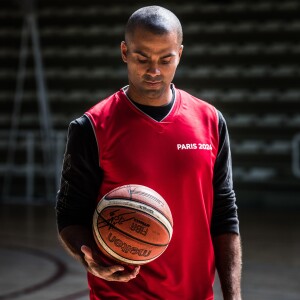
[(224, 218)]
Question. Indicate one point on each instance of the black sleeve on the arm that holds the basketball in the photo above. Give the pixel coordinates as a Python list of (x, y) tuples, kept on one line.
[(81, 176)]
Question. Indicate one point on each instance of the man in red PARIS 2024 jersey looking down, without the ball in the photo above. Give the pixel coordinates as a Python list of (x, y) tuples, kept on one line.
[(153, 134)]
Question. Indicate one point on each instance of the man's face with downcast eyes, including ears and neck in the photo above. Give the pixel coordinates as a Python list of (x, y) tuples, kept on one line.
[(151, 62)]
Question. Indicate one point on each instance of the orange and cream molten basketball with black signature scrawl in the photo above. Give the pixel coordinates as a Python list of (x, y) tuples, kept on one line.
[(132, 224)]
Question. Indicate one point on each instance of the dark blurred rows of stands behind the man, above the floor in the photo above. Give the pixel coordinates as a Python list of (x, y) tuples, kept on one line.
[(241, 56)]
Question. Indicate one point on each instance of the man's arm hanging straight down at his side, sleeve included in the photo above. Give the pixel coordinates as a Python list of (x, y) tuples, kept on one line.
[(225, 223)]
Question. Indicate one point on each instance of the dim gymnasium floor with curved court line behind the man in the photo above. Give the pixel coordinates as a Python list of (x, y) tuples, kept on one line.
[(33, 266)]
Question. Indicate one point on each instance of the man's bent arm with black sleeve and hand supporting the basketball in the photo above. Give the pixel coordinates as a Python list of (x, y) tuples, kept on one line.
[(76, 201)]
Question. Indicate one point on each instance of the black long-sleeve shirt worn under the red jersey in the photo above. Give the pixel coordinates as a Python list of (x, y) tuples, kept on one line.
[(81, 177)]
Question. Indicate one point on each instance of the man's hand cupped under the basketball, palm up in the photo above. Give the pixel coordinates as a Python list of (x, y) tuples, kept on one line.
[(111, 273)]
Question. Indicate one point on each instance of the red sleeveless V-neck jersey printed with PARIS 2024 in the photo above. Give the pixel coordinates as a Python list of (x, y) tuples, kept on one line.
[(175, 157)]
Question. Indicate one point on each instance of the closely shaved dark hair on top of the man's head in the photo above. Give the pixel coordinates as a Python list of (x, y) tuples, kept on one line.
[(154, 19)]
